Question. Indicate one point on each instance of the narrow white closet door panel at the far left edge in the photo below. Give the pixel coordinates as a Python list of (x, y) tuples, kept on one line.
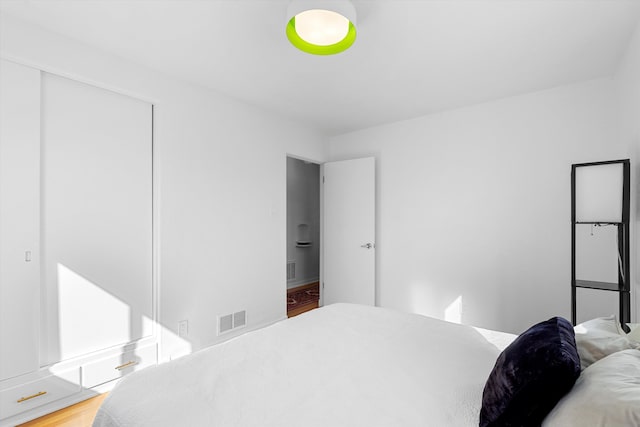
[(19, 218)]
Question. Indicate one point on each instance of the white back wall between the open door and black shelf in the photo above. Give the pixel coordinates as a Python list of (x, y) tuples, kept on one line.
[(474, 204)]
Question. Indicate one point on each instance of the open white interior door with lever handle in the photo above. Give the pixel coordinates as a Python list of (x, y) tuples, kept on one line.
[(349, 231)]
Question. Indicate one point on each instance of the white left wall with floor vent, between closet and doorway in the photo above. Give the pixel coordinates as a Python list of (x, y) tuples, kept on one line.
[(221, 186)]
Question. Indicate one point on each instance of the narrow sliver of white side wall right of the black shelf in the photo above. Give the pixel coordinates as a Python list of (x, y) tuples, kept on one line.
[(627, 89)]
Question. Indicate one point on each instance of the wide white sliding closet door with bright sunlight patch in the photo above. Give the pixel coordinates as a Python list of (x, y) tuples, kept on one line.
[(96, 218)]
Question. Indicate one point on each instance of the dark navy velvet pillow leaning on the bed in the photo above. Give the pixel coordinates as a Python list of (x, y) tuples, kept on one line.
[(531, 376)]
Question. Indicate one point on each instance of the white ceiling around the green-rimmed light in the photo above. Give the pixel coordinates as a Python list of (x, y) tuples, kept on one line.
[(410, 58)]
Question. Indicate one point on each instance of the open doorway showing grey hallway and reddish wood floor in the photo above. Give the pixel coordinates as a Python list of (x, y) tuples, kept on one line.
[(303, 236)]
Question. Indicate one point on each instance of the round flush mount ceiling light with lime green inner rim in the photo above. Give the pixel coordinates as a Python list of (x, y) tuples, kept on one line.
[(321, 27)]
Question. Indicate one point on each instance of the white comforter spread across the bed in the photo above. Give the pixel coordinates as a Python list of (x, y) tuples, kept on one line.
[(341, 365)]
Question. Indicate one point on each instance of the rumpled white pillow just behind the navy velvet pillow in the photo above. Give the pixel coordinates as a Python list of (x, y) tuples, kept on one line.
[(599, 338)]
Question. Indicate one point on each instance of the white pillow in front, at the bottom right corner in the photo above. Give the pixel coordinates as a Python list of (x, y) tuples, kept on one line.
[(607, 393)]
